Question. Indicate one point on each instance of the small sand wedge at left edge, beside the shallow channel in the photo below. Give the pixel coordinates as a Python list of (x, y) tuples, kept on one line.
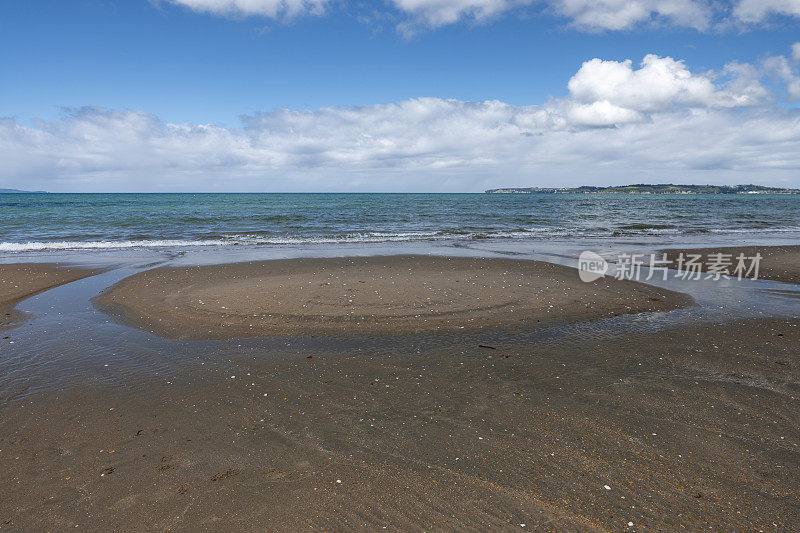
[(23, 280)]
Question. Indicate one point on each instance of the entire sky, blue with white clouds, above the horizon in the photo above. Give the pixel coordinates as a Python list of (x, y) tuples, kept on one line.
[(75, 73)]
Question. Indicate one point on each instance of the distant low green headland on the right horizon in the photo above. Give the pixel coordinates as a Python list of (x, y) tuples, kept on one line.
[(667, 188)]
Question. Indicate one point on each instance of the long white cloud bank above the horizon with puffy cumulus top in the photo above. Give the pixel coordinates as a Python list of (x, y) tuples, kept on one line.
[(660, 121)]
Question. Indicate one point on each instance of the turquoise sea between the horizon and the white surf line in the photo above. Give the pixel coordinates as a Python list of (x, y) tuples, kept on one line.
[(32, 222)]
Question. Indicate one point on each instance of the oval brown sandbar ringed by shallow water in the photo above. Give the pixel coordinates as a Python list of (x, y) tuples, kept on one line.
[(369, 296)]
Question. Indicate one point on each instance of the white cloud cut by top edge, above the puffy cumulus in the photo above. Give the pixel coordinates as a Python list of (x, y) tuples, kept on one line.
[(624, 14)]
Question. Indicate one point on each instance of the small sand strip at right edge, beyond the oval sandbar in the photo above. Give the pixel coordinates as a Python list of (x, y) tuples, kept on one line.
[(778, 263)]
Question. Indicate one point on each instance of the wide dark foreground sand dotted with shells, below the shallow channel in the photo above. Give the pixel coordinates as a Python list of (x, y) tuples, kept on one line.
[(690, 428)]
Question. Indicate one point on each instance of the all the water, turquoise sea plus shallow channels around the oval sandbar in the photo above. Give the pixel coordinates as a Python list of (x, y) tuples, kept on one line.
[(124, 234)]
